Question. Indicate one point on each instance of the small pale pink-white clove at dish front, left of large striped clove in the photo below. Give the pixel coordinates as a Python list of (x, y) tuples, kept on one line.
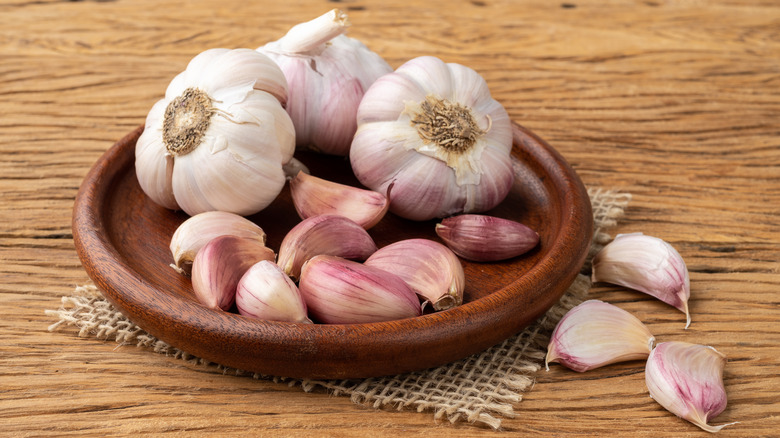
[(266, 292)]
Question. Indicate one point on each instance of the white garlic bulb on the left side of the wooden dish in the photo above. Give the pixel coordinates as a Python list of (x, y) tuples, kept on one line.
[(219, 137)]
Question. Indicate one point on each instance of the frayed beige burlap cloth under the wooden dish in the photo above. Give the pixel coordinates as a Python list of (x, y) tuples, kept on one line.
[(478, 389)]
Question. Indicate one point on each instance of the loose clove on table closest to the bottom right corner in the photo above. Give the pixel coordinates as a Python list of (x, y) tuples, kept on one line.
[(687, 380)]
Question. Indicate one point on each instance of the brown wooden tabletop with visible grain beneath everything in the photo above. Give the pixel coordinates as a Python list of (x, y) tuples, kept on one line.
[(676, 102)]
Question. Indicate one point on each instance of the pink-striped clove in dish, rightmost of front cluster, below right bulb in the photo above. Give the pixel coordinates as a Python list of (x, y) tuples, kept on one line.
[(429, 268)]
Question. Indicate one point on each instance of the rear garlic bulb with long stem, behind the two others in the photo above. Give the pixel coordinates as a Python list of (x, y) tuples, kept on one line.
[(328, 73)]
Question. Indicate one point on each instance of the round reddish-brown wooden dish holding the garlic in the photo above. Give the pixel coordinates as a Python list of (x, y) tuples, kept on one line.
[(122, 238)]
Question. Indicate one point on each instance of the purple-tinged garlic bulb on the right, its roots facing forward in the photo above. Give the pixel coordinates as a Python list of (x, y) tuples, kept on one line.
[(434, 131)]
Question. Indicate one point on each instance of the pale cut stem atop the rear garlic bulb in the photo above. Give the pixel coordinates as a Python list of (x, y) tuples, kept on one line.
[(306, 37)]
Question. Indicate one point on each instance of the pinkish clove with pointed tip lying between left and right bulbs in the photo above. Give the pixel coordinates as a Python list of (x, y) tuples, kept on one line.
[(314, 196)]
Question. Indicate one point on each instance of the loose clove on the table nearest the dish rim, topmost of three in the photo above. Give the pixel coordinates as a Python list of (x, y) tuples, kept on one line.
[(647, 264)]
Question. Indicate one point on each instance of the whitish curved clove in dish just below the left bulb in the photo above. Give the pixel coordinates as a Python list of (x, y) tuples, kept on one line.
[(198, 230)]
